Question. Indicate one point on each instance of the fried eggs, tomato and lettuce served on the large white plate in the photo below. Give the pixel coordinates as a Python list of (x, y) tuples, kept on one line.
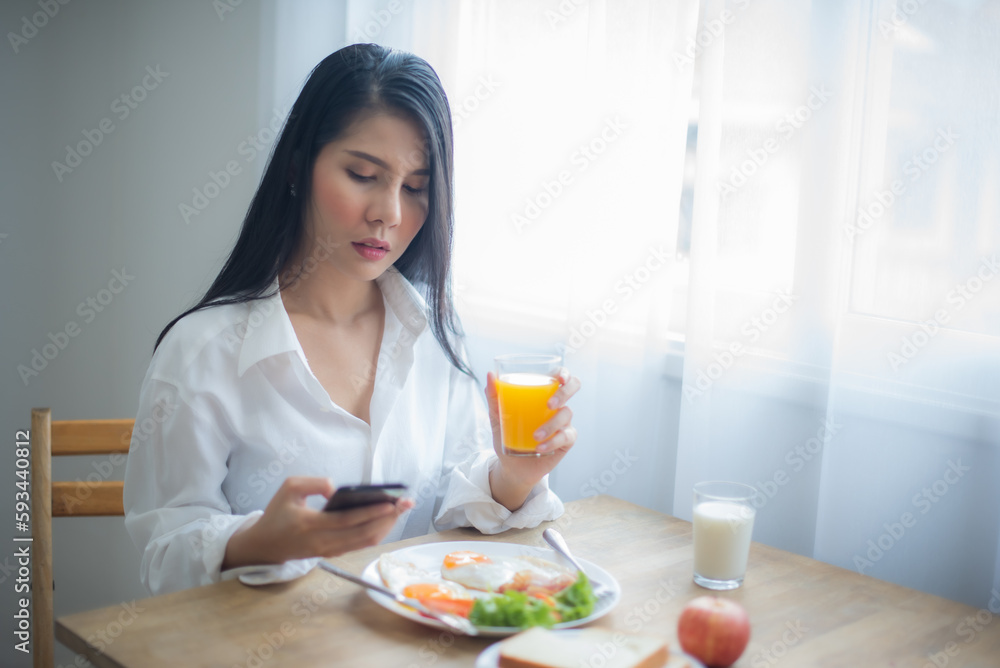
[(528, 591)]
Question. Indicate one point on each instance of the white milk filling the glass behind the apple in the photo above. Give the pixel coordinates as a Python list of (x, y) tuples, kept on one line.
[(722, 539)]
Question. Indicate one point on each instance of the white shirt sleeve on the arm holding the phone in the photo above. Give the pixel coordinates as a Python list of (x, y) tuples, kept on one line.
[(175, 510)]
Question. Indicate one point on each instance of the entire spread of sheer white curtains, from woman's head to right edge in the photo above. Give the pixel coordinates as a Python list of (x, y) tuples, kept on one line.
[(764, 233)]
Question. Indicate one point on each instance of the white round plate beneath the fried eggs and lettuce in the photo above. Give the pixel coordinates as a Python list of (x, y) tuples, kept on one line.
[(430, 556)]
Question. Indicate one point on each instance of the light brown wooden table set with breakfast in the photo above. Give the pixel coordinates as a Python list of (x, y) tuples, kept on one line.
[(803, 612)]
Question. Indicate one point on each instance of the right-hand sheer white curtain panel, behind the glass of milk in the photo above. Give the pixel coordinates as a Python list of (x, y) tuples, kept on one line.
[(843, 340)]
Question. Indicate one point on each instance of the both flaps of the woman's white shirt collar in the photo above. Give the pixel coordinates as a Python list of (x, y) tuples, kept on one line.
[(269, 331)]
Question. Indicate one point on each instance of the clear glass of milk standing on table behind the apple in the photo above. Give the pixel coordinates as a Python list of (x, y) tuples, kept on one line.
[(723, 522)]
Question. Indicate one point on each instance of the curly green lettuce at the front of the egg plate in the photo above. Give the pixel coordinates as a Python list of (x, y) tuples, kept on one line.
[(515, 608)]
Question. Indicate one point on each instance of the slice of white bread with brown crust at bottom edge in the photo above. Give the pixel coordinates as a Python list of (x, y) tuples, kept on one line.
[(540, 648)]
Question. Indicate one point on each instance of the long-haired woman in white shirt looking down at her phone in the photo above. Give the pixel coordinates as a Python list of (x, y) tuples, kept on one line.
[(314, 358)]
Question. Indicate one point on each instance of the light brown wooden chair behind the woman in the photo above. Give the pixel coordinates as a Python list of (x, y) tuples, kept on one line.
[(65, 499)]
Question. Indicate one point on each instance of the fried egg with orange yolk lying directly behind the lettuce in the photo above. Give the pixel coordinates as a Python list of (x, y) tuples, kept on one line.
[(477, 571)]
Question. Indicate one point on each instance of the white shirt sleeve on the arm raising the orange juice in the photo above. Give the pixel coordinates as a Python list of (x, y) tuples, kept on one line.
[(468, 459)]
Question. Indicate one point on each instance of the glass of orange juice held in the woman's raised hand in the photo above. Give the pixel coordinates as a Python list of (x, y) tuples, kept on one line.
[(525, 383)]
